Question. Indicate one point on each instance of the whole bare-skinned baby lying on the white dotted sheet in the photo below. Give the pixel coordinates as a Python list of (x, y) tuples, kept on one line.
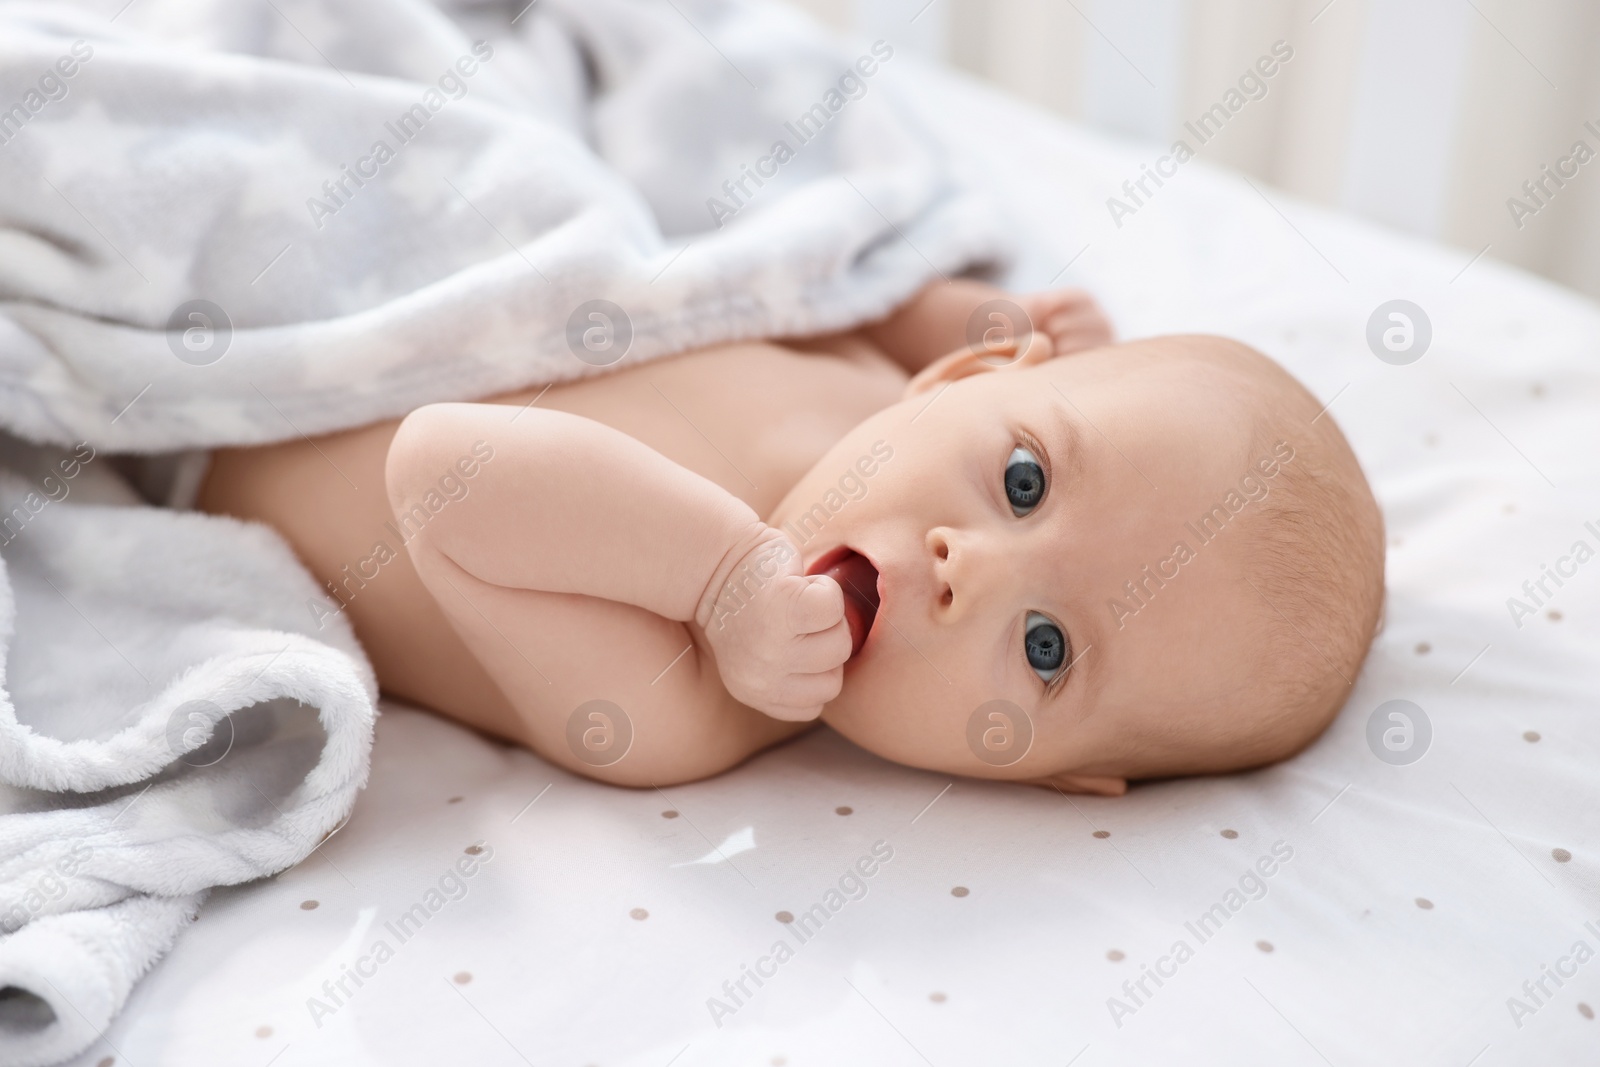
[(1038, 557)]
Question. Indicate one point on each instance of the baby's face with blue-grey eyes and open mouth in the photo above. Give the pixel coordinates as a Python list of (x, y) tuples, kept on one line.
[(1006, 514)]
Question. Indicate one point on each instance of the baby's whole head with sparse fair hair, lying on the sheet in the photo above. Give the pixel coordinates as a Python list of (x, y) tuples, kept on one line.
[(1142, 561)]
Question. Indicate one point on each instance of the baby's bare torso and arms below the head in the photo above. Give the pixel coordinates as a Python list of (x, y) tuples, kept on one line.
[(743, 425)]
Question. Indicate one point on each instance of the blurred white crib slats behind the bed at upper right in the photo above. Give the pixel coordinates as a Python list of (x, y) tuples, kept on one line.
[(1422, 114)]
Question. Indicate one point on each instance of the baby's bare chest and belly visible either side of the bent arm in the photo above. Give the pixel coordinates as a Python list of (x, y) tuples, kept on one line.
[(751, 418)]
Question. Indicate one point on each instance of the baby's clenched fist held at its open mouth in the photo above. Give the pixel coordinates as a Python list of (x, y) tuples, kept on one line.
[(780, 637)]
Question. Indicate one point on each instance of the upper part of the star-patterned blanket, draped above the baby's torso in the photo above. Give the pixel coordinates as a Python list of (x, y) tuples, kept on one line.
[(212, 241)]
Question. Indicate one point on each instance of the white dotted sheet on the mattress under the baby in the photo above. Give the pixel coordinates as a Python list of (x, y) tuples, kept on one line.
[(1409, 890)]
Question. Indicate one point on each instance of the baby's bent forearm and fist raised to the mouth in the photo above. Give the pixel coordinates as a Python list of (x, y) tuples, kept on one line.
[(572, 506)]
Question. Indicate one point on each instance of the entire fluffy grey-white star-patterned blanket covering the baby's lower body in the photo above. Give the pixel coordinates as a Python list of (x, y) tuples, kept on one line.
[(247, 222)]
